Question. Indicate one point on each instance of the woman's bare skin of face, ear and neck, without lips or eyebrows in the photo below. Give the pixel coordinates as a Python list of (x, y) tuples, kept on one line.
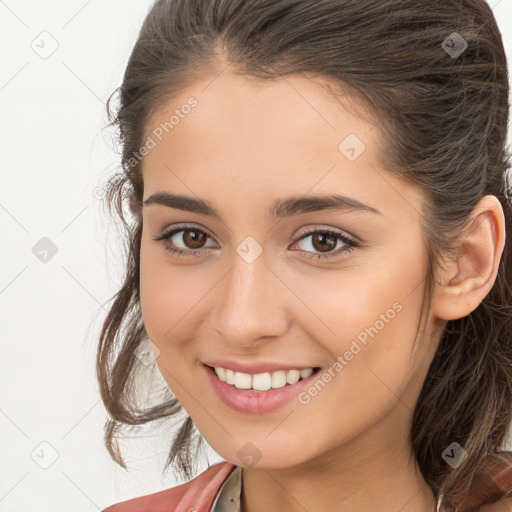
[(245, 145)]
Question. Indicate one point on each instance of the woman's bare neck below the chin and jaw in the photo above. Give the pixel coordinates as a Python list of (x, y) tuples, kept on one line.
[(370, 473)]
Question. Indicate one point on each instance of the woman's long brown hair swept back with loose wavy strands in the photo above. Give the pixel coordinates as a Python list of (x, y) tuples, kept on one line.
[(444, 125)]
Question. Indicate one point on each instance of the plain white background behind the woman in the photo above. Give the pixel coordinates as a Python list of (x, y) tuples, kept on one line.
[(54, 156)]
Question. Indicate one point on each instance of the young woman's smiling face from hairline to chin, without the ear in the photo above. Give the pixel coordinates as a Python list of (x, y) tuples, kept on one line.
[(255, 285)]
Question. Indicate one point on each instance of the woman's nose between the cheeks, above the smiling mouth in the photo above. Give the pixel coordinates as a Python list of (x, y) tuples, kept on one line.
[(251, 304)]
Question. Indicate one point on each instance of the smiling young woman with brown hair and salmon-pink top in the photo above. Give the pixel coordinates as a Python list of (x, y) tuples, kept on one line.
[(319, 254)]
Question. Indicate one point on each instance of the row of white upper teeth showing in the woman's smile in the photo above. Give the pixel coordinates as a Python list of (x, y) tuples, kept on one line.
[(262, 381)]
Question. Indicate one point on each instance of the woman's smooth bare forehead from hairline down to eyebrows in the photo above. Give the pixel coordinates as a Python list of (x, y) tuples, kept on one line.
[(261, 138)]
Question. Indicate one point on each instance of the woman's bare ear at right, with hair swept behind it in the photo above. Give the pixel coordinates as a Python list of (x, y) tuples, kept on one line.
[(469, 277)]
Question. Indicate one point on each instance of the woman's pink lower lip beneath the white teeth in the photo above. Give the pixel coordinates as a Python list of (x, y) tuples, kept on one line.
[(254, 402)]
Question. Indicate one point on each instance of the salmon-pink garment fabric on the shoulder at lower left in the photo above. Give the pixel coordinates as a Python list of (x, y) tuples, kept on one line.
[(198, 493)]
